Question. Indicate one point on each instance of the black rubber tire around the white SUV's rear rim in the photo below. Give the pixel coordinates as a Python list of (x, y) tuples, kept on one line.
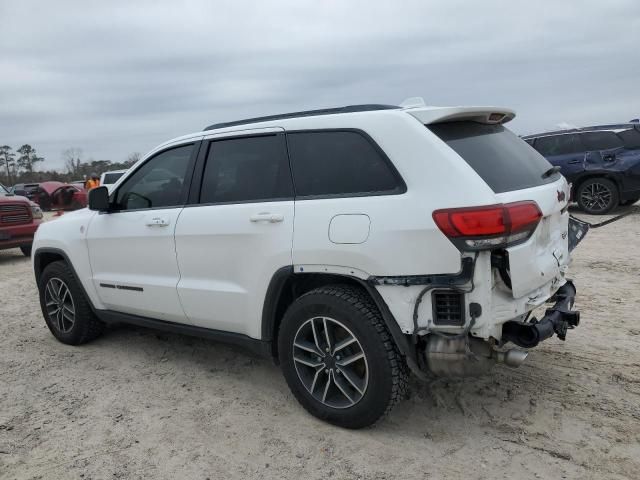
[(386, 372)]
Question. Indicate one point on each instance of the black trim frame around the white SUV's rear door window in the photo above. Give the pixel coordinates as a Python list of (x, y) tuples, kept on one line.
[(193, 199)]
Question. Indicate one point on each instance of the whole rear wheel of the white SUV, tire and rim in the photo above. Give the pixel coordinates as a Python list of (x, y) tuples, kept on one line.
[(338, 358)]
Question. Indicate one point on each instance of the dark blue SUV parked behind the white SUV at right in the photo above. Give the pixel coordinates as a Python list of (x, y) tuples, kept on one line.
[(602, 163)]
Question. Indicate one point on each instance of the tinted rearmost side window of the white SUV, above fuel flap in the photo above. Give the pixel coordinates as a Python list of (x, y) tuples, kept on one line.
[(340, 163)]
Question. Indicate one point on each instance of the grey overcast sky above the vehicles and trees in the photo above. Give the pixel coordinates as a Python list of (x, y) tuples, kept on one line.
[(114, 77)]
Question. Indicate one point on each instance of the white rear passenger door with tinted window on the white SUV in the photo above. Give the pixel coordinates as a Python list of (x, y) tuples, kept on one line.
[(237, 230)]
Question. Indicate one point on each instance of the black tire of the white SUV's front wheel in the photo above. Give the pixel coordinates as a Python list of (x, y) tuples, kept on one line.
[(85, 326)]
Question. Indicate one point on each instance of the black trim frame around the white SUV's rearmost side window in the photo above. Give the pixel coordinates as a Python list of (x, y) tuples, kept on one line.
[(401, 186)]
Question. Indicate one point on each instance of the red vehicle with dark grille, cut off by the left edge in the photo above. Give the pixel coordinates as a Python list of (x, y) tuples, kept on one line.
[(19, 220)]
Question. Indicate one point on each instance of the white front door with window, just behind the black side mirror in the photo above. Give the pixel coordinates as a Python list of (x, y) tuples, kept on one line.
[(132, 248)]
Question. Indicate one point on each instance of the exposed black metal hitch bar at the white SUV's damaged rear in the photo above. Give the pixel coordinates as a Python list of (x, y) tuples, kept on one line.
[(557, 319)]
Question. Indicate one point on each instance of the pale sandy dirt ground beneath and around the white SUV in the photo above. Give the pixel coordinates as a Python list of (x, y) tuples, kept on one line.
[(141, 404)]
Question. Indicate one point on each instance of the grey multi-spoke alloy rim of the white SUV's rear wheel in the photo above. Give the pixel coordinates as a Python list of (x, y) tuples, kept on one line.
[(330, 362)]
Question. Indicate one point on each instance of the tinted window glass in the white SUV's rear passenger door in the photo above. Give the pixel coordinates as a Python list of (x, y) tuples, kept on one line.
[(247, 169)]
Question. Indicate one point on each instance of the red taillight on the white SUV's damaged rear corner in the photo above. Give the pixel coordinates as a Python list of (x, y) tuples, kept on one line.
[(491, 226)]
